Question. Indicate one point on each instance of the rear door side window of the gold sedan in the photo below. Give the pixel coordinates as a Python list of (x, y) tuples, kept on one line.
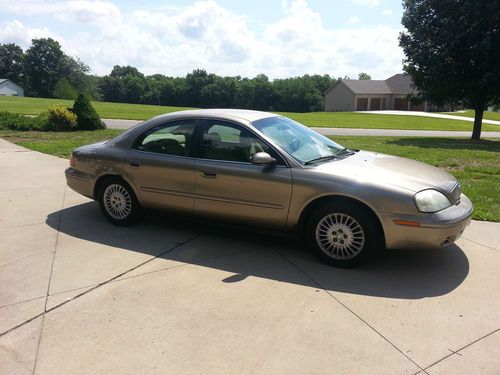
[(169, 139)]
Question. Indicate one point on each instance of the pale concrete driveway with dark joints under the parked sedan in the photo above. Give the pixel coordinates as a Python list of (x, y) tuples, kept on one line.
[(170, 295)]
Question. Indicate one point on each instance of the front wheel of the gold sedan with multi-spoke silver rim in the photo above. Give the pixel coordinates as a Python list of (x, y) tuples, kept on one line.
[(341, 234)]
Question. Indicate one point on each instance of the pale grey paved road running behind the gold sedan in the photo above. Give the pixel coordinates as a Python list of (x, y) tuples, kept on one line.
[(126, 124)]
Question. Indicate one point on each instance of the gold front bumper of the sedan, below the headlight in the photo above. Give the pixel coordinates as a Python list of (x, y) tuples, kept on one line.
[(435, 230)]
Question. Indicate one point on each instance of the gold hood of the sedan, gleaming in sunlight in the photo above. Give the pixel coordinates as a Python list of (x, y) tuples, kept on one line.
[(390, 170)]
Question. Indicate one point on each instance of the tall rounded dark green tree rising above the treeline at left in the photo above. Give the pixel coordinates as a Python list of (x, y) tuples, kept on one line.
[(44, 63)]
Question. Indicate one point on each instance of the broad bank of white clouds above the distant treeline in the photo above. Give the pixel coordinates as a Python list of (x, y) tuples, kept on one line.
[(176, 40)]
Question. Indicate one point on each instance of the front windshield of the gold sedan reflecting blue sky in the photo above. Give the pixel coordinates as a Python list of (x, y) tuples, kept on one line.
[(302, 143)]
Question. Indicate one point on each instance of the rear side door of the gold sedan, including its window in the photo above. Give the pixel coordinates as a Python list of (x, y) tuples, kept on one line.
[(162, 166)]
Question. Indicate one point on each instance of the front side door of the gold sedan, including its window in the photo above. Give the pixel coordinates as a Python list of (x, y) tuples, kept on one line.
[(230, 187)]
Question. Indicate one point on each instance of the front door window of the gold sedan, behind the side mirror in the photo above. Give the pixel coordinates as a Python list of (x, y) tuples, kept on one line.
[(230, 142)]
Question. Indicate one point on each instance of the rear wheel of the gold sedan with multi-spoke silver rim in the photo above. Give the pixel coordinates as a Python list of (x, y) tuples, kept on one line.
[(118, 202)]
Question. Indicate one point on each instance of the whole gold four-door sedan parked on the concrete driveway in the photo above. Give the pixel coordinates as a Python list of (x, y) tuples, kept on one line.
[(265, 170)]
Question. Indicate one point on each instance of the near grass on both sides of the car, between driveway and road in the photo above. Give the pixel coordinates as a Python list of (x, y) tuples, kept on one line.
[(475, 164)]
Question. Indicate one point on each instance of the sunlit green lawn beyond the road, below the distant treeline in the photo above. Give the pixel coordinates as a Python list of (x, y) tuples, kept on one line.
[(33, 106)]
